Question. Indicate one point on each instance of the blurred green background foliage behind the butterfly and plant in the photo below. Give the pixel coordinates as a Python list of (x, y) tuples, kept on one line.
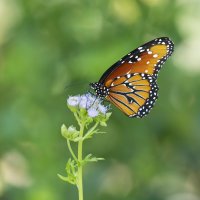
[(52, 49)]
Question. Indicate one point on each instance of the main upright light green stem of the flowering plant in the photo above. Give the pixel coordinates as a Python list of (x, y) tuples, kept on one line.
[(80, 166)]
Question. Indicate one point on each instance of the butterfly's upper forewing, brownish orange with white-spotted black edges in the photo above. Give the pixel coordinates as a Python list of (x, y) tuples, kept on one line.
[(147, 59)]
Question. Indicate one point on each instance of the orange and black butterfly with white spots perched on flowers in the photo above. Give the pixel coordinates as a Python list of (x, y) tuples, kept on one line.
[(131, 83)]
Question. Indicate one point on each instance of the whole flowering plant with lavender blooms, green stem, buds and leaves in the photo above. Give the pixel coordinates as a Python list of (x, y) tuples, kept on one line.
[(90, 114)]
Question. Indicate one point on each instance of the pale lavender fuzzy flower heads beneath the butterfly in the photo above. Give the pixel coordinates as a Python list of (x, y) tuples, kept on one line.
[(92, 104)]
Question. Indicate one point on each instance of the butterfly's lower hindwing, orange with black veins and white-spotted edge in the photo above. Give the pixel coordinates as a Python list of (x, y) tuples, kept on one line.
[(134, 95)]
